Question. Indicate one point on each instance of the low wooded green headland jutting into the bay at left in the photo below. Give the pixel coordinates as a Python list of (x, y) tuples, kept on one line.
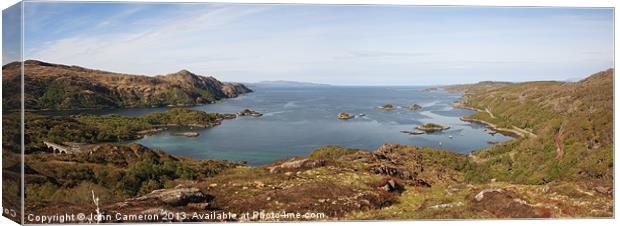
[(94, 129)]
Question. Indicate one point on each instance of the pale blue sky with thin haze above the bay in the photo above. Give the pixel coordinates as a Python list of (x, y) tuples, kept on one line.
[(333, 44)]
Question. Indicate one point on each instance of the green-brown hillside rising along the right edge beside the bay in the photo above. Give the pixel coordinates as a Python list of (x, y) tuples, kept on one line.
[(575, 117)]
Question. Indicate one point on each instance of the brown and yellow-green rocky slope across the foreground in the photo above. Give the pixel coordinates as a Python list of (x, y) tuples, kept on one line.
[(393, 182)]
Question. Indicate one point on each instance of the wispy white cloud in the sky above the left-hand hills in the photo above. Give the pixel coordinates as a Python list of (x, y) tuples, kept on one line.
[(159, 48)]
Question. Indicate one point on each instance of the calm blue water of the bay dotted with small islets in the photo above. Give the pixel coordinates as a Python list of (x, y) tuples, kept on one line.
[(297, 120)]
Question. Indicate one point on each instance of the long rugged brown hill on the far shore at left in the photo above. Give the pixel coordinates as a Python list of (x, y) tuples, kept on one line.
[(60, 87)]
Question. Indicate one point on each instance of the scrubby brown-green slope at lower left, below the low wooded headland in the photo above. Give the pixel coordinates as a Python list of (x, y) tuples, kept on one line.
[(114, 172)]
